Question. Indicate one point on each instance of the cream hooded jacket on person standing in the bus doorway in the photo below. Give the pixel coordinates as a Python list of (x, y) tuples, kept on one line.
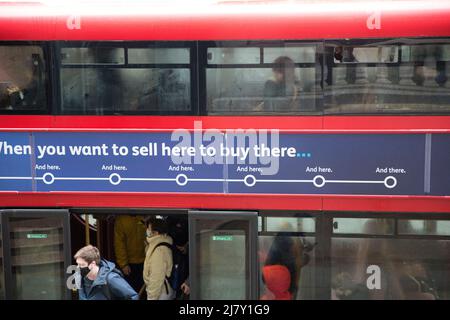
[(157, 266)]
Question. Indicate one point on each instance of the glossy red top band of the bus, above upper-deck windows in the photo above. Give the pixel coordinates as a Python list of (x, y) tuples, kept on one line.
[(197, 20)]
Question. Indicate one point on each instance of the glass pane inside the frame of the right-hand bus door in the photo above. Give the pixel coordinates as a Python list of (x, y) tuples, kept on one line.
[(222, 259)]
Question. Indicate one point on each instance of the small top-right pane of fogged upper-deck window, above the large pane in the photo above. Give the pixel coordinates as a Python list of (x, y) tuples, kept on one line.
[(158, 55)]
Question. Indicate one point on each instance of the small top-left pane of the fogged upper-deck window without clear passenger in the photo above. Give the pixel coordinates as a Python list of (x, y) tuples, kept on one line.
[(95, 55)]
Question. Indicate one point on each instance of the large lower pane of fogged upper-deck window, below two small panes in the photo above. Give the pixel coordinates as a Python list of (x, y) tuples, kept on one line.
[(99, 91)]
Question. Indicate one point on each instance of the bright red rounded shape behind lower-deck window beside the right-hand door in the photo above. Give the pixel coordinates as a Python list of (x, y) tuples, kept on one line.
[(277, 280)]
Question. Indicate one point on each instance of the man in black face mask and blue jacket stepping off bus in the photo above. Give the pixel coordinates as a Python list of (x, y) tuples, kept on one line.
[(100, 280)]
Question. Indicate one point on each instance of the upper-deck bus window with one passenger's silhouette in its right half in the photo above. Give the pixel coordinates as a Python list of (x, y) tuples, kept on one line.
[(261, 80)]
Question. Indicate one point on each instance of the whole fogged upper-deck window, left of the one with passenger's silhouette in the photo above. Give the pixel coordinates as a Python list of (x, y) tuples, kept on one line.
[(126, 81)]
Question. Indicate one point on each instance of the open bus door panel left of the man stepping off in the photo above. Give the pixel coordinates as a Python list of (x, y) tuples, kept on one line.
[(34, 254)]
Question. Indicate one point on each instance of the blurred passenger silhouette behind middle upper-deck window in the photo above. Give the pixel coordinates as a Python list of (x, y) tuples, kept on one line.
[(284, 84)]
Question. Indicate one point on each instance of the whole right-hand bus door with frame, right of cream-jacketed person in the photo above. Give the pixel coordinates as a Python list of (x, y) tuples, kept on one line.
[(223, 255)]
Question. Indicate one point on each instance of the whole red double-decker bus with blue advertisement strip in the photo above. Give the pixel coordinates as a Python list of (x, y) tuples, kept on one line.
[(303, 146)]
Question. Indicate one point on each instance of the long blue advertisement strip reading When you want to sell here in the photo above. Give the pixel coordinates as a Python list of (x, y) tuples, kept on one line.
[(237, 163)]
